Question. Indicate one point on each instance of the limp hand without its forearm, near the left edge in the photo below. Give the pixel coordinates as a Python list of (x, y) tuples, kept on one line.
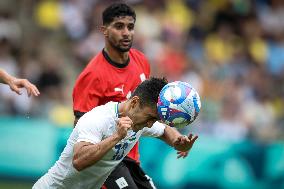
[(15, 85)]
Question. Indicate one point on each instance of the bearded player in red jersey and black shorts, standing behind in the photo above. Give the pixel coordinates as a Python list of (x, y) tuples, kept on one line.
[(112, 75)]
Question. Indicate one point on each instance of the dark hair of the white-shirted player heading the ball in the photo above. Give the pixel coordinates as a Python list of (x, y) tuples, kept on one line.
[(149, 90)]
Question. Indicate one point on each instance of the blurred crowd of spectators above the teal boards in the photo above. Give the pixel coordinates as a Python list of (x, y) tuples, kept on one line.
[(231, 51)]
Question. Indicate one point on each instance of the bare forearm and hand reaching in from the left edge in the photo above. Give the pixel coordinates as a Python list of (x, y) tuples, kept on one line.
[(17, 83)]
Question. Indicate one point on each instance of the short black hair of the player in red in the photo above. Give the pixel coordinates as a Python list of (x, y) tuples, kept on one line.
[(117, 10)]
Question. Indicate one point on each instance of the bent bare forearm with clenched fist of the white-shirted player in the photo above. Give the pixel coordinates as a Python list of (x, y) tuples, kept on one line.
[(87, 154)]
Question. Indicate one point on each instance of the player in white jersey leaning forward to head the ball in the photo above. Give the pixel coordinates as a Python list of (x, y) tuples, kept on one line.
[(103, 137)]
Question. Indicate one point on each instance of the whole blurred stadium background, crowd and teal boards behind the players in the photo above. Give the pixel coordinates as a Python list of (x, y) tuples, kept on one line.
[(231, 51)]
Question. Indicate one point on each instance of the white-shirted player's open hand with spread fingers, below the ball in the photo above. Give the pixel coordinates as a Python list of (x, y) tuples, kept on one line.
[(184, 143)]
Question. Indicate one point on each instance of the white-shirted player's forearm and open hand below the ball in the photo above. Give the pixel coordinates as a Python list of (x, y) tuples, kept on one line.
[(180, 142)]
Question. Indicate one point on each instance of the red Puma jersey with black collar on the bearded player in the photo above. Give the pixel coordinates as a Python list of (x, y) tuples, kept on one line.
[(104, 80)]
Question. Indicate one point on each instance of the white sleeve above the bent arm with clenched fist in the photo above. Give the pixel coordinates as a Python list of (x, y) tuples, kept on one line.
[(90, 127)]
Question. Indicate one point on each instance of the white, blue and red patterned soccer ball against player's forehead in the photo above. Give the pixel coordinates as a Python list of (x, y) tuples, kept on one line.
[(178, 104)]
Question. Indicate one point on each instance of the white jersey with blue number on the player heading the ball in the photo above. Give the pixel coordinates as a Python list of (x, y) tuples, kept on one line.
[(93, 127)]
